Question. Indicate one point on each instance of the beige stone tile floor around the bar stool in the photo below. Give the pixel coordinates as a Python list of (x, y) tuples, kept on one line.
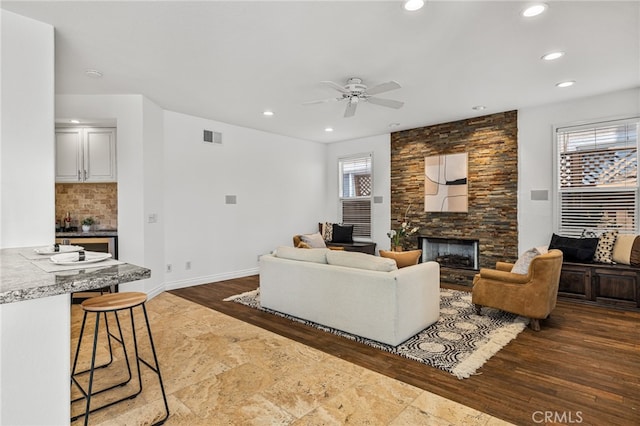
[(218, 370)]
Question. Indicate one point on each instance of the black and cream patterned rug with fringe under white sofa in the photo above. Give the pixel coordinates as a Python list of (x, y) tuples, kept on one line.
[(460, 342)]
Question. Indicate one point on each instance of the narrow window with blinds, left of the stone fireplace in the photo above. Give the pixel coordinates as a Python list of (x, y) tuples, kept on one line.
[(356, 188)]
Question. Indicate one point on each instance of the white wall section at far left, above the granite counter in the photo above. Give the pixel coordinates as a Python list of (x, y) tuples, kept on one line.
[(27, 204)]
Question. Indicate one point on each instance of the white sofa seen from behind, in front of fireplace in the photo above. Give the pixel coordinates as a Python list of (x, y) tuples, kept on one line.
[(354, 292)]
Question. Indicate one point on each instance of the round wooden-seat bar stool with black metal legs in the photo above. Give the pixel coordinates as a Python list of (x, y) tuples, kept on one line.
[(114, 302)]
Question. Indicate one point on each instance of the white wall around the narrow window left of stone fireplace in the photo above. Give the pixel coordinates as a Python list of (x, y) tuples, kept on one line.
[(380, 146)]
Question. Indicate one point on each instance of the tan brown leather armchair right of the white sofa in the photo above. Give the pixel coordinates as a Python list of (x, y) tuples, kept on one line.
[(533, 295)]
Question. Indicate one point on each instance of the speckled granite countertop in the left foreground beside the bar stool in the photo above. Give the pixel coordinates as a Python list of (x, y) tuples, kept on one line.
[(21, 279)]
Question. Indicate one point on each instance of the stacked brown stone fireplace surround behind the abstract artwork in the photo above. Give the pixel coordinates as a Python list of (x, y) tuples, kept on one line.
[(492, 218)]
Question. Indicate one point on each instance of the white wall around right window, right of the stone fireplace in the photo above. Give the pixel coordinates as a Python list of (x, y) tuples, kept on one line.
[(535, 155)]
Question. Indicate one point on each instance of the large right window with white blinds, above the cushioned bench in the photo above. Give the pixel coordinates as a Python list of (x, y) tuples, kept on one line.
[(597, 171)]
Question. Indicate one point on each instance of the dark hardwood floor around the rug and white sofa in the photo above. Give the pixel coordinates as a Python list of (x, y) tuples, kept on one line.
[(583, 367)]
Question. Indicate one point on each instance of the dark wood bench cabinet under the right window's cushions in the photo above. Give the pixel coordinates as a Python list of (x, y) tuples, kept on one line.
[(601, 284)]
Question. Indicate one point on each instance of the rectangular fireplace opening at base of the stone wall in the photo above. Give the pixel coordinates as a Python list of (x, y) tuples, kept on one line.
[(453, 253)]
